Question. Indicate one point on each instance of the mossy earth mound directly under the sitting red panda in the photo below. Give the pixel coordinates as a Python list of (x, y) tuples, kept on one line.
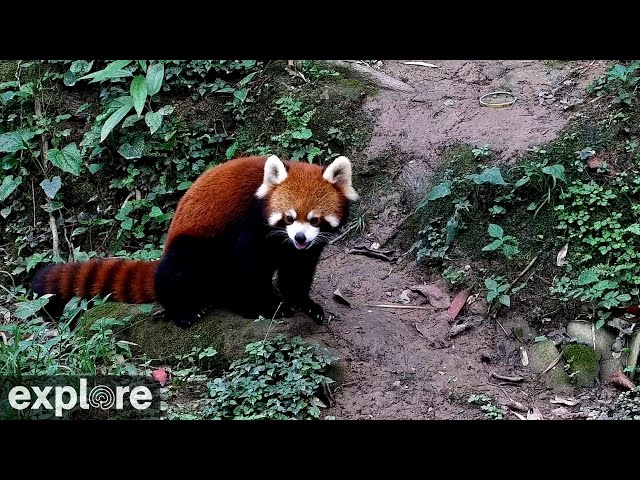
[(226, 332)]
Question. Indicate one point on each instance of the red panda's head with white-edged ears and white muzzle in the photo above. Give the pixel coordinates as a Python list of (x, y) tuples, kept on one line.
[(306, 200)]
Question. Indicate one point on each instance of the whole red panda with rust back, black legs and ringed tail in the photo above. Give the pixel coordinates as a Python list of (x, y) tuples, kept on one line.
[(238, 224)]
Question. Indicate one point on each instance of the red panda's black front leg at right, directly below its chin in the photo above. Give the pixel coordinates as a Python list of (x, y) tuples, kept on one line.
[(295, 276)]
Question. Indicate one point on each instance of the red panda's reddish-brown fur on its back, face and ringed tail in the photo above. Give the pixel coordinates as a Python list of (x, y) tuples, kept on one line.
[(220, 196)]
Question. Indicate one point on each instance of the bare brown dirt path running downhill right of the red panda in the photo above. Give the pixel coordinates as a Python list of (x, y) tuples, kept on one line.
[(393, 370)]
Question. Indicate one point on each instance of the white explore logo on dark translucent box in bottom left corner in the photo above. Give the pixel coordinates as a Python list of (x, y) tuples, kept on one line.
[(79, 397)]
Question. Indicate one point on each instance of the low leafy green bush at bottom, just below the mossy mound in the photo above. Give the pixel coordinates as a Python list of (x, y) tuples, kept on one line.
[(277, 379)]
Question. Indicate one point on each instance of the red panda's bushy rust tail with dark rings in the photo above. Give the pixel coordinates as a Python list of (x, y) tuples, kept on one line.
[(129, 281)]
